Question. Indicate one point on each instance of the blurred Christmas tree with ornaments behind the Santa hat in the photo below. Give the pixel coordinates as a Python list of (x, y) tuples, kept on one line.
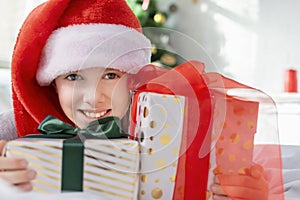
[(154, 26)]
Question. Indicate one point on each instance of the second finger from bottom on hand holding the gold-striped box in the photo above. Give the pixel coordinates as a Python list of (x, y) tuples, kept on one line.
[(18, 177)]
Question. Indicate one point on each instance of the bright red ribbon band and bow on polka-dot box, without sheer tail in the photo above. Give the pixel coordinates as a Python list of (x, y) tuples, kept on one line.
[(185, 80)]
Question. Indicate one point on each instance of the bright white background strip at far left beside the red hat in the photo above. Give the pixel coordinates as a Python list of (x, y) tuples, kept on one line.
[(12, 14)]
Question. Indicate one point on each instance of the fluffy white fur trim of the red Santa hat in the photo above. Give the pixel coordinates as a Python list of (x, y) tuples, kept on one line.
[(77, 47)]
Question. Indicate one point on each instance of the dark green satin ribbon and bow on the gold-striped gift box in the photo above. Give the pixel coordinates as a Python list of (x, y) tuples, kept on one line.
[(73, 147)]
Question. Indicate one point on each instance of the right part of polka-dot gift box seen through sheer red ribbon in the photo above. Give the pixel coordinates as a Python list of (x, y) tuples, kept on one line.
[(234, 127)]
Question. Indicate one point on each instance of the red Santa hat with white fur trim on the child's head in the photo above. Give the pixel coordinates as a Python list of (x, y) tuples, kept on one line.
[(61, 36)]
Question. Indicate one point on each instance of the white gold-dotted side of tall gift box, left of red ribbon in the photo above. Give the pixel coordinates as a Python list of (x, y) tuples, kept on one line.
[(159, 126)]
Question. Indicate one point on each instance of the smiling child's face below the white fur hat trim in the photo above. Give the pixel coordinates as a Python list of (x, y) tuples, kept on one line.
[(90, 94)]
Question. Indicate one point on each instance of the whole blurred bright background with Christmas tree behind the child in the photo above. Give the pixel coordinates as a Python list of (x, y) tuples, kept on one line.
[(251, 41)]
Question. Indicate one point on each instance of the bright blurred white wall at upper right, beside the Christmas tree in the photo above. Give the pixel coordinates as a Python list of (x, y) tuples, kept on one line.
[(253, 41)]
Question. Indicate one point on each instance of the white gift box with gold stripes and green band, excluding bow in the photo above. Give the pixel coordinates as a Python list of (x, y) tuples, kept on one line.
[(108, 167)]
